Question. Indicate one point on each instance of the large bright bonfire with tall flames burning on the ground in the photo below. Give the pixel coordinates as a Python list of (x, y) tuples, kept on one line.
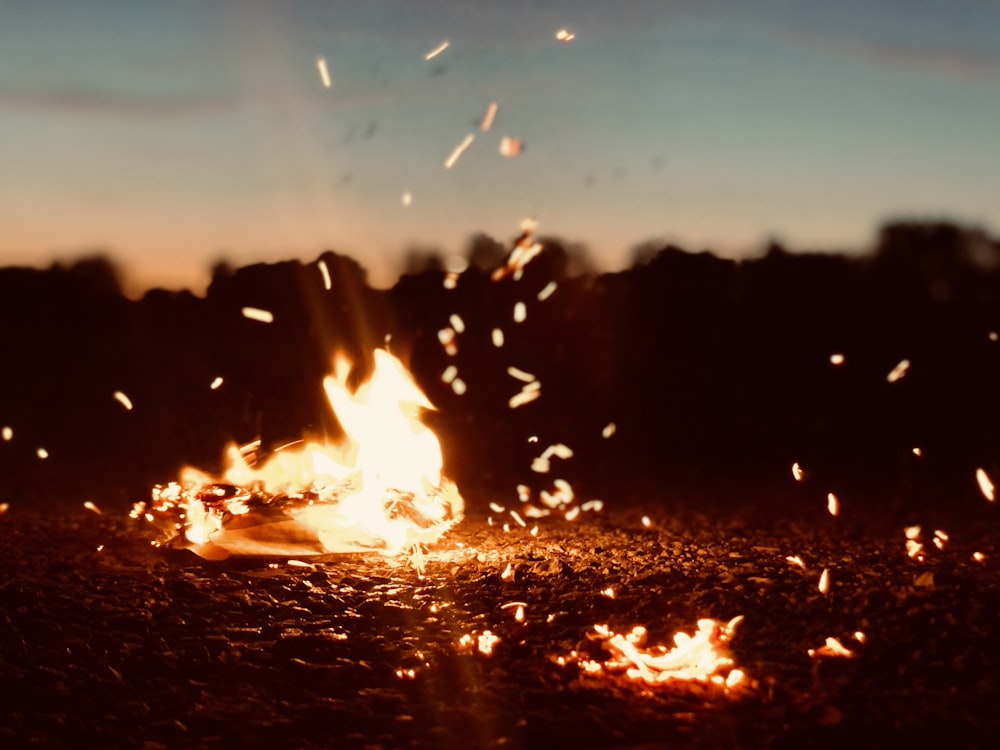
[(379, 489)]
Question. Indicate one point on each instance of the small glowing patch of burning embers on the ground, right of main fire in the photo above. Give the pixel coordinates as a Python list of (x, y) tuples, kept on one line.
[(704, 657)]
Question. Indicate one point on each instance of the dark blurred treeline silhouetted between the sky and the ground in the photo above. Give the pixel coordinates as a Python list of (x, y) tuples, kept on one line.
[(715, 373)]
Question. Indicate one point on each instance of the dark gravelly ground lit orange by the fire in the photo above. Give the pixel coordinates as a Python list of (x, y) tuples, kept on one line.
[(106, 641)]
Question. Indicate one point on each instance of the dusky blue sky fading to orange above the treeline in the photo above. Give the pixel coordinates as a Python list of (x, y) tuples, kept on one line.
[(175, 134)]
